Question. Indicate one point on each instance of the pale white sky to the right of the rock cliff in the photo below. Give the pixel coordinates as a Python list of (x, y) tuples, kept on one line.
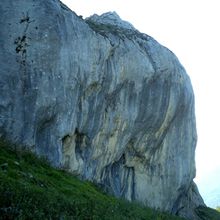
[(191, 29)]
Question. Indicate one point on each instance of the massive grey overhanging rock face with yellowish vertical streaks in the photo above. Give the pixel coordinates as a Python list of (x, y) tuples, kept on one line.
[(100, 99)]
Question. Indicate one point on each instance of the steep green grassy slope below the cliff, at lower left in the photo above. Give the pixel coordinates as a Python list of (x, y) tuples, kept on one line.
[(31, 189)]
